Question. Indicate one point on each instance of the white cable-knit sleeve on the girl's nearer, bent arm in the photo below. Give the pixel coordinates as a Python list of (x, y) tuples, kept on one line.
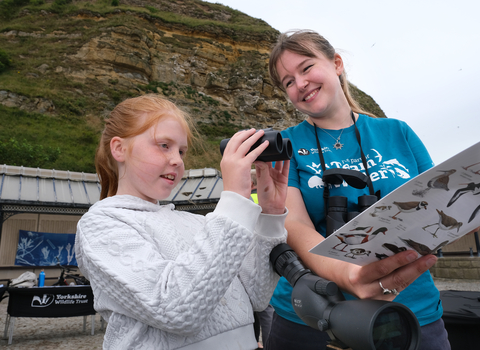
[(157, 273)]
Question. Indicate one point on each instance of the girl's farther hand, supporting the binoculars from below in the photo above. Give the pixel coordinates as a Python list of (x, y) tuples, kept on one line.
[(272, 183)]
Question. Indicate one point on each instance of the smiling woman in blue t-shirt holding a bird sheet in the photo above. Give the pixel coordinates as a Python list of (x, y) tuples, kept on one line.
[(307, 68)]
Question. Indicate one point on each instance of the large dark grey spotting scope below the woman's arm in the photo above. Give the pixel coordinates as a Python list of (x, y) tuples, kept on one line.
[(360, 324)]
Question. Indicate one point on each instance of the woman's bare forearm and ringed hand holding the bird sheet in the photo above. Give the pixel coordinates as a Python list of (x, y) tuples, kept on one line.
[(395, 272)]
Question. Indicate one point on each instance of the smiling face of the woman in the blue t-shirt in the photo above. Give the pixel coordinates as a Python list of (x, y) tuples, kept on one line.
[(311, 83)]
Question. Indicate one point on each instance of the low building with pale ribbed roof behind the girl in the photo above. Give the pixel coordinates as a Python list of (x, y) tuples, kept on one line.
[(46, 200)]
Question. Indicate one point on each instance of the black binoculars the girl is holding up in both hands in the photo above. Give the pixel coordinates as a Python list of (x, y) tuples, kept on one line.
[(278, 147)]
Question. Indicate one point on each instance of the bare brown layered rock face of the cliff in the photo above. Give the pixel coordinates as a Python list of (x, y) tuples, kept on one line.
[(192, 66)]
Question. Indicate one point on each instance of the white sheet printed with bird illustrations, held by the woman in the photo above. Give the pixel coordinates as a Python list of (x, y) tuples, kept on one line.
[(425, 214)]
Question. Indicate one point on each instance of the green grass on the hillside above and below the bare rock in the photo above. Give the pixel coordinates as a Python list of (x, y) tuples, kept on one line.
[(75, 126)]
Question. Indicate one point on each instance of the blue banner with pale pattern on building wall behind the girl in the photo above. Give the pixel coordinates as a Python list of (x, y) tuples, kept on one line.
[(45, 249)]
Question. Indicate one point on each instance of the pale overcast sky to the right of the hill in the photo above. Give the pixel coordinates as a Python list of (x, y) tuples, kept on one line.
[(419, 60)]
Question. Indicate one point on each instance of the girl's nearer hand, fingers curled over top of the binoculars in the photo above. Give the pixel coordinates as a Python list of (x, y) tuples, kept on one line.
[(236, 164)]
